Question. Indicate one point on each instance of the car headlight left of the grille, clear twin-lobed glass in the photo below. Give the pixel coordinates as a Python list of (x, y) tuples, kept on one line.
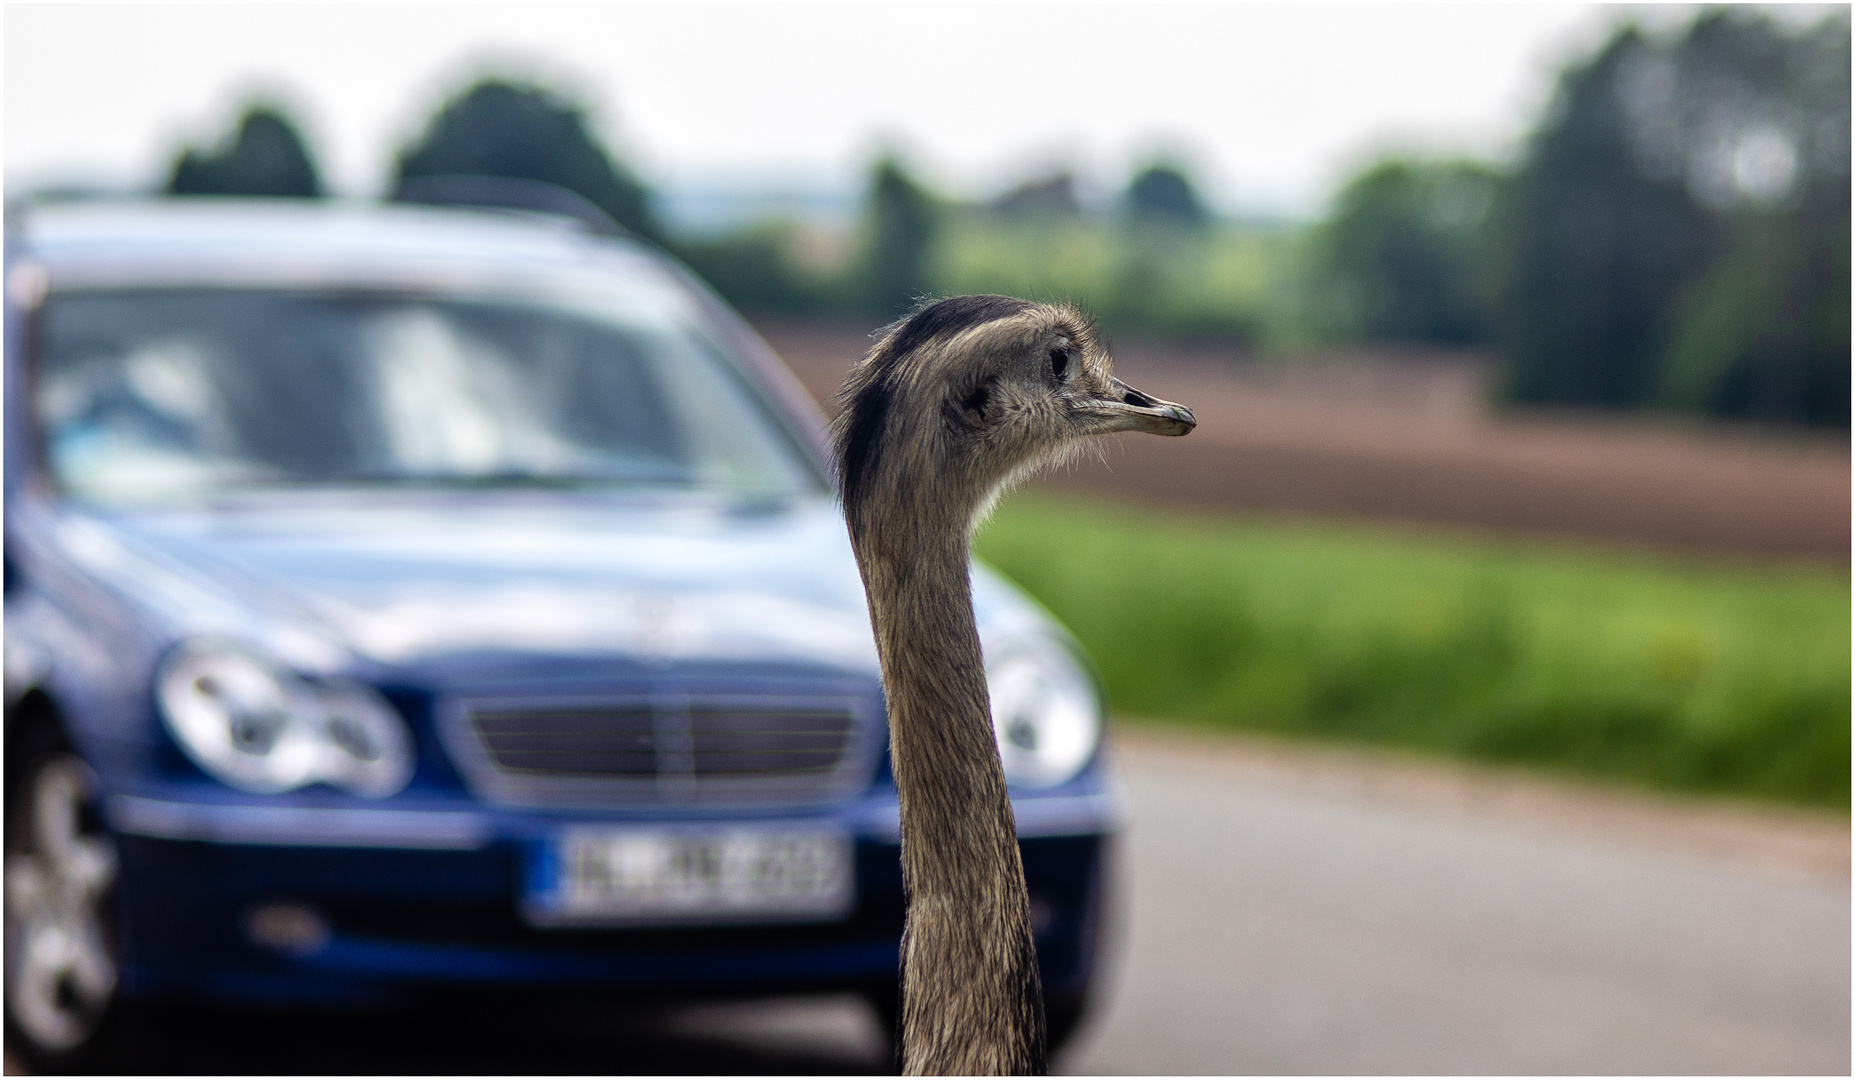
[(262, 728)]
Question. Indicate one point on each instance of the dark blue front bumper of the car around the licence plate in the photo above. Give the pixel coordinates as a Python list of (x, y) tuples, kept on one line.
[(424, 903)]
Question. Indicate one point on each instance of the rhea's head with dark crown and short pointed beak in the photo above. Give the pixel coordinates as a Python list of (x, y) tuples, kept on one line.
[(966, 396)]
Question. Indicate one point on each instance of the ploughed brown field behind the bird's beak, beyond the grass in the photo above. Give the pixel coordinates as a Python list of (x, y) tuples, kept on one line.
[(1409, 439)]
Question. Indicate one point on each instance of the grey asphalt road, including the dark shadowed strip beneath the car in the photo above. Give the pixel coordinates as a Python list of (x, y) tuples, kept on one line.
[(1296, 914)]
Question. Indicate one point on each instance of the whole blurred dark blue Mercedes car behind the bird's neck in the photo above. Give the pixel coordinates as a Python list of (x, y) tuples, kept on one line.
[(409, 604)]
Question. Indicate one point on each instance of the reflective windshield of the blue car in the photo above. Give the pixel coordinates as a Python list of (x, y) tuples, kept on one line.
[(192, 392)]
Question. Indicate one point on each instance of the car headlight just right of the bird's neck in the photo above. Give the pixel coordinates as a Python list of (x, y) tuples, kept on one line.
[(1045, 714)]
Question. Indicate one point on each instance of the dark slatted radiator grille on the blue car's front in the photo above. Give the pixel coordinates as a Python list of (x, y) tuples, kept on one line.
[(661, 751)]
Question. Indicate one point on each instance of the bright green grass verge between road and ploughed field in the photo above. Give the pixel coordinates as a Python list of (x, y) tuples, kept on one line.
[(1687, 675)]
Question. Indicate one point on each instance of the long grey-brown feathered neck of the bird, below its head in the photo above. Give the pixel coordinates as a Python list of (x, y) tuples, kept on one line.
[(969, 973)]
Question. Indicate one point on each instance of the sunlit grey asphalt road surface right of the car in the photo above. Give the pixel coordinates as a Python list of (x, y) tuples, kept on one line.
[(1288, 931)]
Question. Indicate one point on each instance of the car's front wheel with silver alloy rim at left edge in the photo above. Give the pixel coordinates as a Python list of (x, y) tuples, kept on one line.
[(60, 942)]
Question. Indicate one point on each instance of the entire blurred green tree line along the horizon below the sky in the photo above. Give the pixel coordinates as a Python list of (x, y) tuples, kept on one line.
[(1674, 235)]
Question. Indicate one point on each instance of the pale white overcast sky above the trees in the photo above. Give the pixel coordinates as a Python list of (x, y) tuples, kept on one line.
[(1272, 105)]
